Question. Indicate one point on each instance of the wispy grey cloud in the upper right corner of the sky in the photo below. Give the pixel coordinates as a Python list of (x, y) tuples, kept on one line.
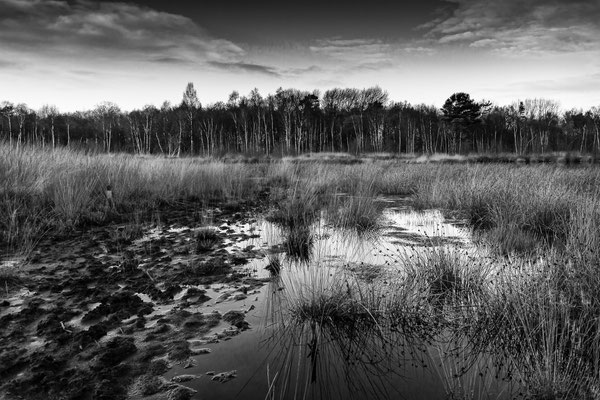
[(519, 26)]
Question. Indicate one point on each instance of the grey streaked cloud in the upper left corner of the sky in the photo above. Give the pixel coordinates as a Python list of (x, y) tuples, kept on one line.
[(106, 31)]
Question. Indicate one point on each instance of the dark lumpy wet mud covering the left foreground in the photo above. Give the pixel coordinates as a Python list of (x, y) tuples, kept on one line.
[(104, 312)]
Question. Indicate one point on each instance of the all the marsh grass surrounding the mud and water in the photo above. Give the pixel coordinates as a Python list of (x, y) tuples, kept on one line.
[(529, 298)]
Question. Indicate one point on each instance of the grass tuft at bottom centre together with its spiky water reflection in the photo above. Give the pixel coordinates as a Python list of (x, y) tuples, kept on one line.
[(329, 337)]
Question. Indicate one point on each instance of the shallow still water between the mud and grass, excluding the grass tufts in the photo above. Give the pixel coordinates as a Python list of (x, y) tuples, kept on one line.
[(280, 357)]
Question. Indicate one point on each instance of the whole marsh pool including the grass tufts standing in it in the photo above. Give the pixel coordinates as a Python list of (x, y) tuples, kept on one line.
[(339, 324)]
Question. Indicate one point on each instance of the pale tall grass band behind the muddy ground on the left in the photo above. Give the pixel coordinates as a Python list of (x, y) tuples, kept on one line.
[(44, 190)]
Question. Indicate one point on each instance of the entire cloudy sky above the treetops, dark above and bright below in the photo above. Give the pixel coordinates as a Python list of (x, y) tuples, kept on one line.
[(75, 54)]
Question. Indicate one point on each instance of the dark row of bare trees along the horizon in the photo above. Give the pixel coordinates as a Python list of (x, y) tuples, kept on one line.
[(292, 121)]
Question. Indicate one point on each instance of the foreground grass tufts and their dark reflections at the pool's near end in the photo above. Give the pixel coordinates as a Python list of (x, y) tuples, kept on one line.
[(333, 336)]
